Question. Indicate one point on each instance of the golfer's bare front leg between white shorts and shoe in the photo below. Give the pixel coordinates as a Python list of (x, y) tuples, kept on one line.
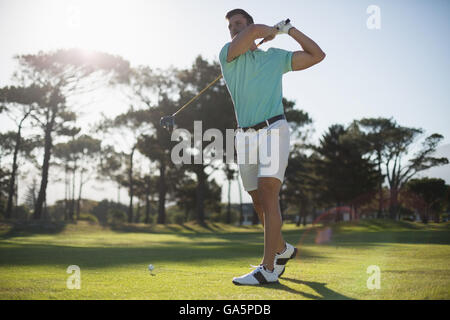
[(267, 200)]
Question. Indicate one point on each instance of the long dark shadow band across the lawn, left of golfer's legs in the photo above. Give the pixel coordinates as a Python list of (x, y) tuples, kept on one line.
[(159, 254)]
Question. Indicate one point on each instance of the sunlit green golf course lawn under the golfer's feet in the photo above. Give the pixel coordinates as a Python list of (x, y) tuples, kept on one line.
[(193, 262)]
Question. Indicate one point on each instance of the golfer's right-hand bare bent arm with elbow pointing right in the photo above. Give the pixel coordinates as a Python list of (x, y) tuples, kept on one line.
[(311, 55)]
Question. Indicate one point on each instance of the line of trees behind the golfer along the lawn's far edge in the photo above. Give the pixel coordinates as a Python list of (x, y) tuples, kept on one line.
[(367, 164)]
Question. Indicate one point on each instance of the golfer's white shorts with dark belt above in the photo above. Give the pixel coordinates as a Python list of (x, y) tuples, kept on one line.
[(254, 153)]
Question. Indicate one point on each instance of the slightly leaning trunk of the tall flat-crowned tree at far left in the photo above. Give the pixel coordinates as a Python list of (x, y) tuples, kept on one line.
[(48, 144)]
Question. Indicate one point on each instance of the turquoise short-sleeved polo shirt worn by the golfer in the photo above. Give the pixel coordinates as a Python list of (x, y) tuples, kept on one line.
[(254, 82)]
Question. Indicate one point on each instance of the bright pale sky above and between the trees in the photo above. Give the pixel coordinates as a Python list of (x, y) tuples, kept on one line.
[(399, 70)]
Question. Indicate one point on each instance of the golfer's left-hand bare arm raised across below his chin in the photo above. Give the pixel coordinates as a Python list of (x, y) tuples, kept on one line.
[(244, 40)]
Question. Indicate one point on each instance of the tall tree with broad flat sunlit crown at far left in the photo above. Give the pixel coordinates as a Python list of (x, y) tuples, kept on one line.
[(61, 74)]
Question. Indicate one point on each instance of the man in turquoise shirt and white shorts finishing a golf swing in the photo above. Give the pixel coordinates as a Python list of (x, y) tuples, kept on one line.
[(253, 78)]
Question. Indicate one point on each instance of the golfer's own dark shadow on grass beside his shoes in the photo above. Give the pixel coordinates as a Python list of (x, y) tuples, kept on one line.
[(323, 293)]
